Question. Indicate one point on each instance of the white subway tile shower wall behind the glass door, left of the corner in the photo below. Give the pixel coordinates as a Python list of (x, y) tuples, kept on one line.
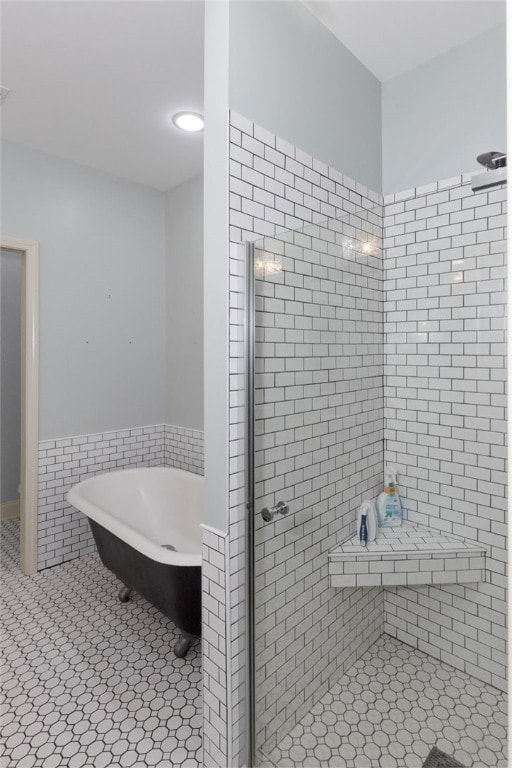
[(303, 645)]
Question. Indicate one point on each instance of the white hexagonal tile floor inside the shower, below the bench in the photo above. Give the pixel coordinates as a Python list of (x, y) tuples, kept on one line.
[(391, 707)]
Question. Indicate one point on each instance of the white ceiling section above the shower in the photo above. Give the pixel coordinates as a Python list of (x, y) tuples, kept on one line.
[(393, 36)]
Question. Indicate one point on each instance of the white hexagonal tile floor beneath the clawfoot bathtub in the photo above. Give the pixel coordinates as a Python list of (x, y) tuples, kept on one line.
[(87, 680)]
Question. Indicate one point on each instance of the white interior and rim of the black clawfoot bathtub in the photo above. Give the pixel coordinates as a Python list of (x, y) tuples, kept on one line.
[(147, 508)]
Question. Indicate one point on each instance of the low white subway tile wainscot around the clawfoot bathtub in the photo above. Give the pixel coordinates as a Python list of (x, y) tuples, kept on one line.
[(63, 532)]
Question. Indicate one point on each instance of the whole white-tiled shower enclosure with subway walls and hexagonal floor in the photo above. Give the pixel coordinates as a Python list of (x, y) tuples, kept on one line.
[(379, 333)]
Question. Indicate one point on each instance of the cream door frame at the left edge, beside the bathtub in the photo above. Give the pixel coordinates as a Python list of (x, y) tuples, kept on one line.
[(29, 251)]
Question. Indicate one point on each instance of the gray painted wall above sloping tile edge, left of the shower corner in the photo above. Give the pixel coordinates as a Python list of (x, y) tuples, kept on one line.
[(290, 75)]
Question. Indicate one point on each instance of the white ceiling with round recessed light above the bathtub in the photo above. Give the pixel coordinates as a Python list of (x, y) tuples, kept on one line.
[(97, 83)]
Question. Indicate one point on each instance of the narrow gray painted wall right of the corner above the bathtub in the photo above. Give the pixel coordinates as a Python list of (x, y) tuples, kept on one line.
[(184, 317)]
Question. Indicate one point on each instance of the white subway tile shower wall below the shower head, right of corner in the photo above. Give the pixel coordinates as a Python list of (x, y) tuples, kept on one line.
[(445, 428)]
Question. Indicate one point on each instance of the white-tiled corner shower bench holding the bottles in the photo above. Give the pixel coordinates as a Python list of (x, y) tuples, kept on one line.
[(408, 555)]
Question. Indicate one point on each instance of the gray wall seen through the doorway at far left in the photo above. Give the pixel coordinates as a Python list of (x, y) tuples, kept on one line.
[(10, 370)]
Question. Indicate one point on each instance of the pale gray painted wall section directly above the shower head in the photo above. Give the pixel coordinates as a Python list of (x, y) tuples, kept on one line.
[(439, 116)]
